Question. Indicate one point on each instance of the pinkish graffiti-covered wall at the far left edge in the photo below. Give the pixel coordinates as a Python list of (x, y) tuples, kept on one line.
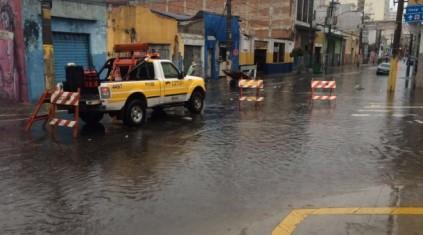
[(13, 84)]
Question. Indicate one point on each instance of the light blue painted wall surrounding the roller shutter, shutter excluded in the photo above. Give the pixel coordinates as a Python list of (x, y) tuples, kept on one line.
[(68, 17)]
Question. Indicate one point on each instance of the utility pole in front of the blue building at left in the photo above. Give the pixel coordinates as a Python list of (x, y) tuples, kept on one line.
[(46, 6)]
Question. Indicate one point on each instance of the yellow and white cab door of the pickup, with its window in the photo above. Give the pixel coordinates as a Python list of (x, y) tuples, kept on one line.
[(175, 89)]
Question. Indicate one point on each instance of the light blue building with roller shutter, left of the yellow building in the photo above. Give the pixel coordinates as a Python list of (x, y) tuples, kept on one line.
[(79, 36)]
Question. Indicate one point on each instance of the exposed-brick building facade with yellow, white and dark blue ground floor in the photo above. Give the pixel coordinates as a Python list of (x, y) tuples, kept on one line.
[(266, 28)]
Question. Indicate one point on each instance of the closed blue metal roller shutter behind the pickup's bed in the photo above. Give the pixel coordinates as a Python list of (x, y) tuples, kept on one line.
[(69, 48)]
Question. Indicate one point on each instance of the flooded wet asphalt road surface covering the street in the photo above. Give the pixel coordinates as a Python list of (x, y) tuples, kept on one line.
[(228, 171)]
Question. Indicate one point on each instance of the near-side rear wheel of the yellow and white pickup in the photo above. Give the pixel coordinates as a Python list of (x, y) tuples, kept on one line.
[(134, 113)]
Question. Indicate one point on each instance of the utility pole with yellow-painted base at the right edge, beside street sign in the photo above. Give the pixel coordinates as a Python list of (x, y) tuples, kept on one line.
[(395, 48)]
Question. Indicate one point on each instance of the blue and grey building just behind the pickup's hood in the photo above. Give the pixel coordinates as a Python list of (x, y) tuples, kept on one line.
[(205, 34)]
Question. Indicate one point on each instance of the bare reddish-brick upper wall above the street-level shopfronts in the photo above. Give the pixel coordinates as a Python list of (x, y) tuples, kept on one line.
[(260, 18)]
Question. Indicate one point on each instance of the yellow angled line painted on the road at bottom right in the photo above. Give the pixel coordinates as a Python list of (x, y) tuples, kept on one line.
[(295, 217)]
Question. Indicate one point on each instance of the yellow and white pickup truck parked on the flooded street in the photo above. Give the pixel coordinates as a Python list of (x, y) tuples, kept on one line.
[(151, 83)]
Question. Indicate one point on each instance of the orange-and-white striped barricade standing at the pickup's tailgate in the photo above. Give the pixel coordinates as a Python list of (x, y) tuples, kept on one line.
[(62, 98)]
